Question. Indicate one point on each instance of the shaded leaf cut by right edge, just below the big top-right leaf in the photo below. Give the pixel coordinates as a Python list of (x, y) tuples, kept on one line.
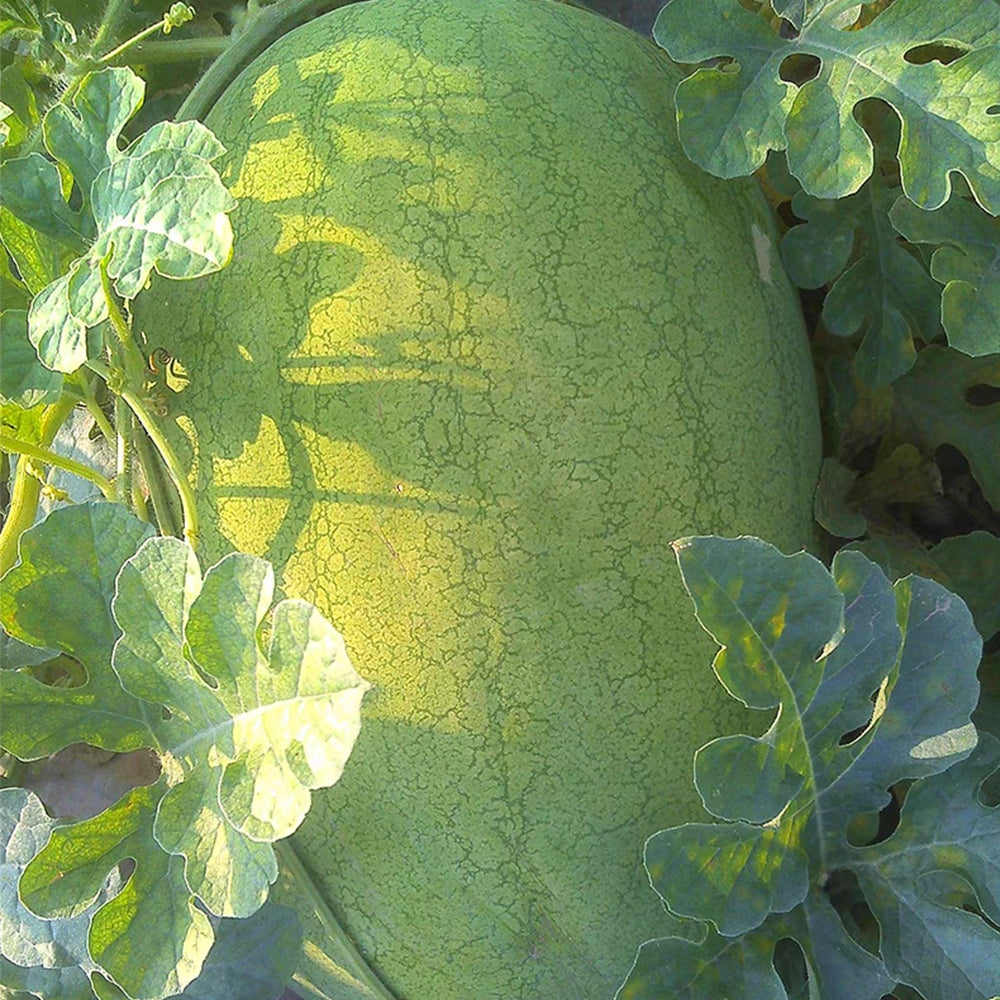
[(966, 262)]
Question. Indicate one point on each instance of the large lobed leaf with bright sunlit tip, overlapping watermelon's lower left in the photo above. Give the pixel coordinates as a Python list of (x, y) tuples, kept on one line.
[(247, 711)]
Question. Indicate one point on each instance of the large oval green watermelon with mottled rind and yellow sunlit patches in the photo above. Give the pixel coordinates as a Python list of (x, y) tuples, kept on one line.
[(487, 346)]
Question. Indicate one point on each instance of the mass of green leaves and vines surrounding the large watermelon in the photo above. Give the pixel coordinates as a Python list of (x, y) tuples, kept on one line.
[(855, 843)]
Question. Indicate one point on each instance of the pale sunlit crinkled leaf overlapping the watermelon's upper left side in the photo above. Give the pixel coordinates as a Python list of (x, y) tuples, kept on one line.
[(157, 205)]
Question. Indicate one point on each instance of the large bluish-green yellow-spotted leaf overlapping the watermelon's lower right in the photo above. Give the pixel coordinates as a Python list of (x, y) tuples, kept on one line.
[(864, 700)]
